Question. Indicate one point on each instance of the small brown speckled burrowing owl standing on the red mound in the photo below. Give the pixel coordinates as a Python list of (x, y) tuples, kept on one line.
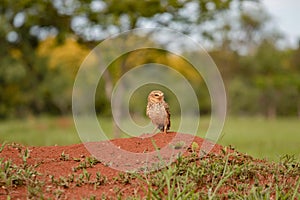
[(158, 110)]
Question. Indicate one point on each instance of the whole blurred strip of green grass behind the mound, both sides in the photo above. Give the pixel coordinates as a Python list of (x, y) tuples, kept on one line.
[(255, 136)]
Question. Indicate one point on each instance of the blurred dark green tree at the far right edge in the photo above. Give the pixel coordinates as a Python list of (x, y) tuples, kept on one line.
[(272, 77)]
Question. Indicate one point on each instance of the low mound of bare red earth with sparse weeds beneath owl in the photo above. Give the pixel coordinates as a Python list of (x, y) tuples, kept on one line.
[(72, 172)]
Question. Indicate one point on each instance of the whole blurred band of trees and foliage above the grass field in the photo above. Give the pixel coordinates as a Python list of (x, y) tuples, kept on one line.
[(43, 44)]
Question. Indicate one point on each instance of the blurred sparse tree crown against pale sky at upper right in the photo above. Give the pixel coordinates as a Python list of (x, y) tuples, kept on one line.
[(244, 29)]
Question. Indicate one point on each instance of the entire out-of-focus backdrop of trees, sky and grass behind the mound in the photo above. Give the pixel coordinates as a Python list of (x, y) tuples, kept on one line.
[(254, 43)]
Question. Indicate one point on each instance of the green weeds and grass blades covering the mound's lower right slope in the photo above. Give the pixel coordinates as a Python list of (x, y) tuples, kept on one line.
[(236, 175)]
